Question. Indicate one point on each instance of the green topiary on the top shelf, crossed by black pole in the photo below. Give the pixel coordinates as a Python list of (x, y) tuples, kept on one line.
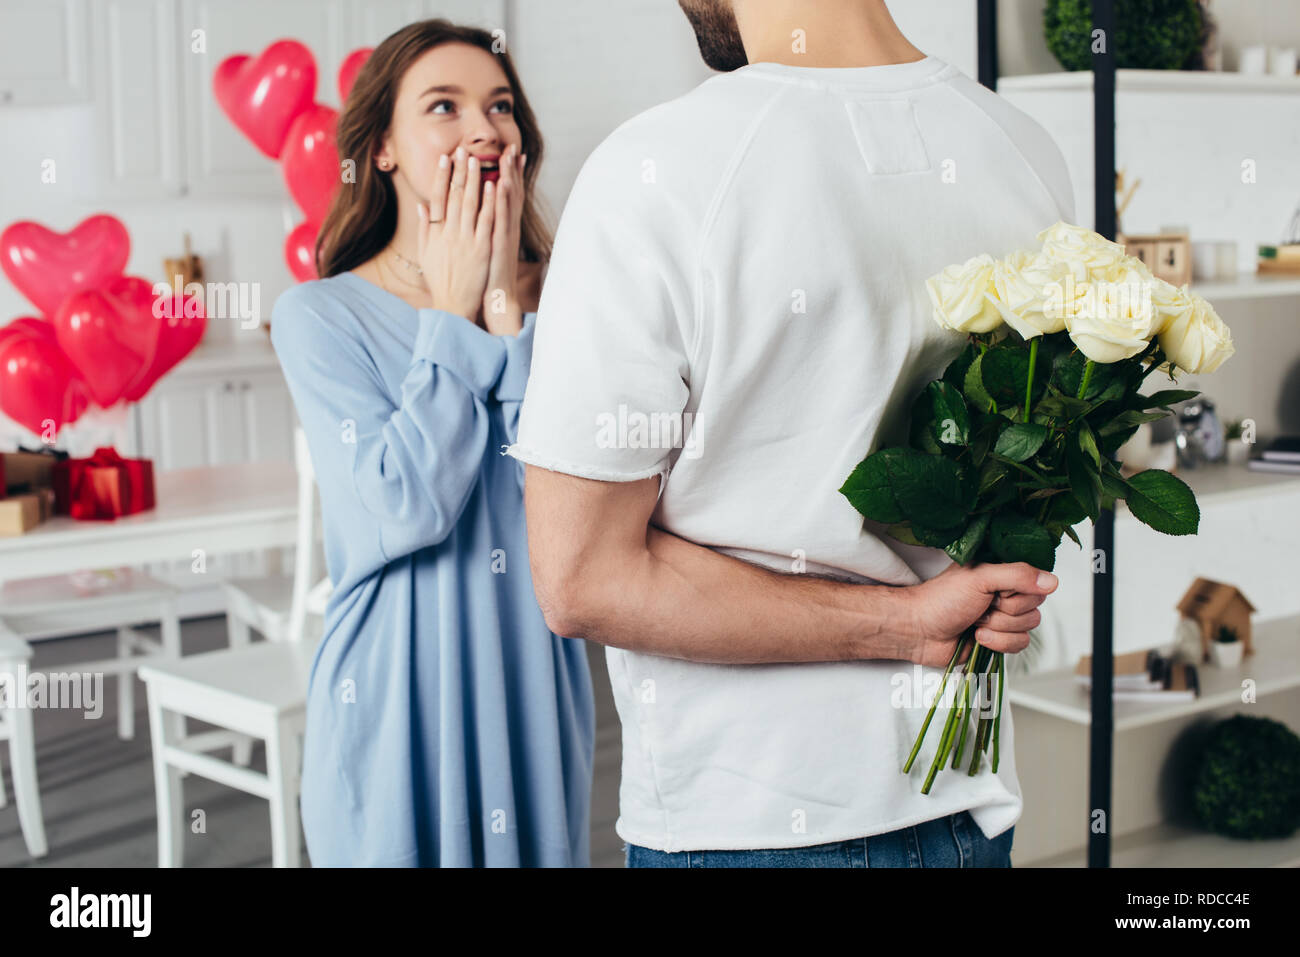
[(1154, 34)]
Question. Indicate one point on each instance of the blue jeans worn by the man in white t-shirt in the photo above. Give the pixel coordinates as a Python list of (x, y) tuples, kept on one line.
[(952, 842)]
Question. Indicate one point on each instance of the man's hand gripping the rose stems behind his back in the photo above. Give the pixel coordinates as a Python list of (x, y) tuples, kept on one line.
[(1002, 599)]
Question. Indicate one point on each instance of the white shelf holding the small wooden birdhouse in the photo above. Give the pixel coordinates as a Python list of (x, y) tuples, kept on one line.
[(1275, 668)]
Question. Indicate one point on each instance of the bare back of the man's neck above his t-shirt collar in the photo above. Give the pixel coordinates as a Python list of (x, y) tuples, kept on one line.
[(826, 34)]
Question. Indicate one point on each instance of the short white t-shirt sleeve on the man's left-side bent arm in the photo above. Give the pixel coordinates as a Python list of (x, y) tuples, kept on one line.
[(610, 371)]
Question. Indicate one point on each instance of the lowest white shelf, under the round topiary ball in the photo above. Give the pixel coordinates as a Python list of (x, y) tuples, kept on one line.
[(1169, 846)]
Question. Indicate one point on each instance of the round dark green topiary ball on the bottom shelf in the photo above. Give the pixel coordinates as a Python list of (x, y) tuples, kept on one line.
[(1249, 781)]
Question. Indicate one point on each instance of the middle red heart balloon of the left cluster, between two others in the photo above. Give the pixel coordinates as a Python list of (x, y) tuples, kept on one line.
[(110, 335)]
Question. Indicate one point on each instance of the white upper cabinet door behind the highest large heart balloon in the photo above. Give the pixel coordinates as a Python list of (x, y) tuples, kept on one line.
[(220, 162)]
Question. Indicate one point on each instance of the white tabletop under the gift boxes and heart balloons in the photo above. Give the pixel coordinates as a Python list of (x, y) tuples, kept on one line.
[(218, 509)]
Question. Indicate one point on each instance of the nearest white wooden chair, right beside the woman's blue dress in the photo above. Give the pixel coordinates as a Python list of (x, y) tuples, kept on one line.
[(252, 691)]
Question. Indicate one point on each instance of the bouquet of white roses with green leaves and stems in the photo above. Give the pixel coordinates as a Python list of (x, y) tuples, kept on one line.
[(1015, 445)]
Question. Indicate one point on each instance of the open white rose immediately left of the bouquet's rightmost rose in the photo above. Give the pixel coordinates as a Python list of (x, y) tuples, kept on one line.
[(1115, 319)]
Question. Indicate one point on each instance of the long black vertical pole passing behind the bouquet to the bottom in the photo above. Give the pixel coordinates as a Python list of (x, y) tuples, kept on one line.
[(1102, 730)]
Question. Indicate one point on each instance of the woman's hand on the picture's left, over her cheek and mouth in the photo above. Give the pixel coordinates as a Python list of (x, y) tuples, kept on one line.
[(456, 253)]
